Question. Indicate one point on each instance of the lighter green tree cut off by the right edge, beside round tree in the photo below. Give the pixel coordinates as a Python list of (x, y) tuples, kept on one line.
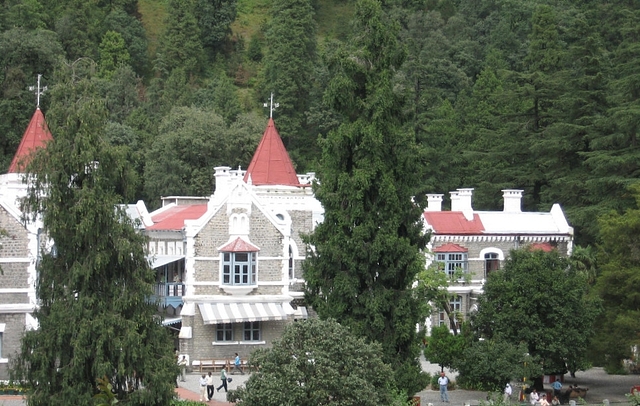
[(618, 326)]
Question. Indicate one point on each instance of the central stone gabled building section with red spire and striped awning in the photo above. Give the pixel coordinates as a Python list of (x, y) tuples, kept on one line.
[(236, 255)]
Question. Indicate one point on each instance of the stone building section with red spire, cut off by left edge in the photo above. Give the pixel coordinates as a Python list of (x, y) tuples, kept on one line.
[(19, 247)]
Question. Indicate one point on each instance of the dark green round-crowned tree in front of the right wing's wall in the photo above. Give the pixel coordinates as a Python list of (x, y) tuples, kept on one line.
[(538, 299)]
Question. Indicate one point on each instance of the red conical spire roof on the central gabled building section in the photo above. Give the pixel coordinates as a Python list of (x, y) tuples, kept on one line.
[(271, 164)]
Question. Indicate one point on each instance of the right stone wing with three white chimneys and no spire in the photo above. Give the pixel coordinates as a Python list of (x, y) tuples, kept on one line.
[(470, 244)]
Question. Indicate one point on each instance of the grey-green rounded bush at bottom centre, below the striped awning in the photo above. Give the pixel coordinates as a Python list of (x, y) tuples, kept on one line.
[(319, 362)]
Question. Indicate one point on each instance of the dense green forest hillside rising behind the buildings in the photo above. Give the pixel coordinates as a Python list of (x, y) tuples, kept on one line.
[(533, 94)]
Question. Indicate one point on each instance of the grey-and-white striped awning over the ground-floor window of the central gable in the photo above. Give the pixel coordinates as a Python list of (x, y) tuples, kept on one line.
[(217, 313)]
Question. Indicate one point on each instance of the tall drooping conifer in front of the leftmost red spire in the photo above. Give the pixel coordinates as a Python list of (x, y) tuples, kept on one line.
[(94, 286)]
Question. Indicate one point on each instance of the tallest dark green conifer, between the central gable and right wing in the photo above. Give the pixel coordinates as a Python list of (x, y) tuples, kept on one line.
[(367, 251)]
